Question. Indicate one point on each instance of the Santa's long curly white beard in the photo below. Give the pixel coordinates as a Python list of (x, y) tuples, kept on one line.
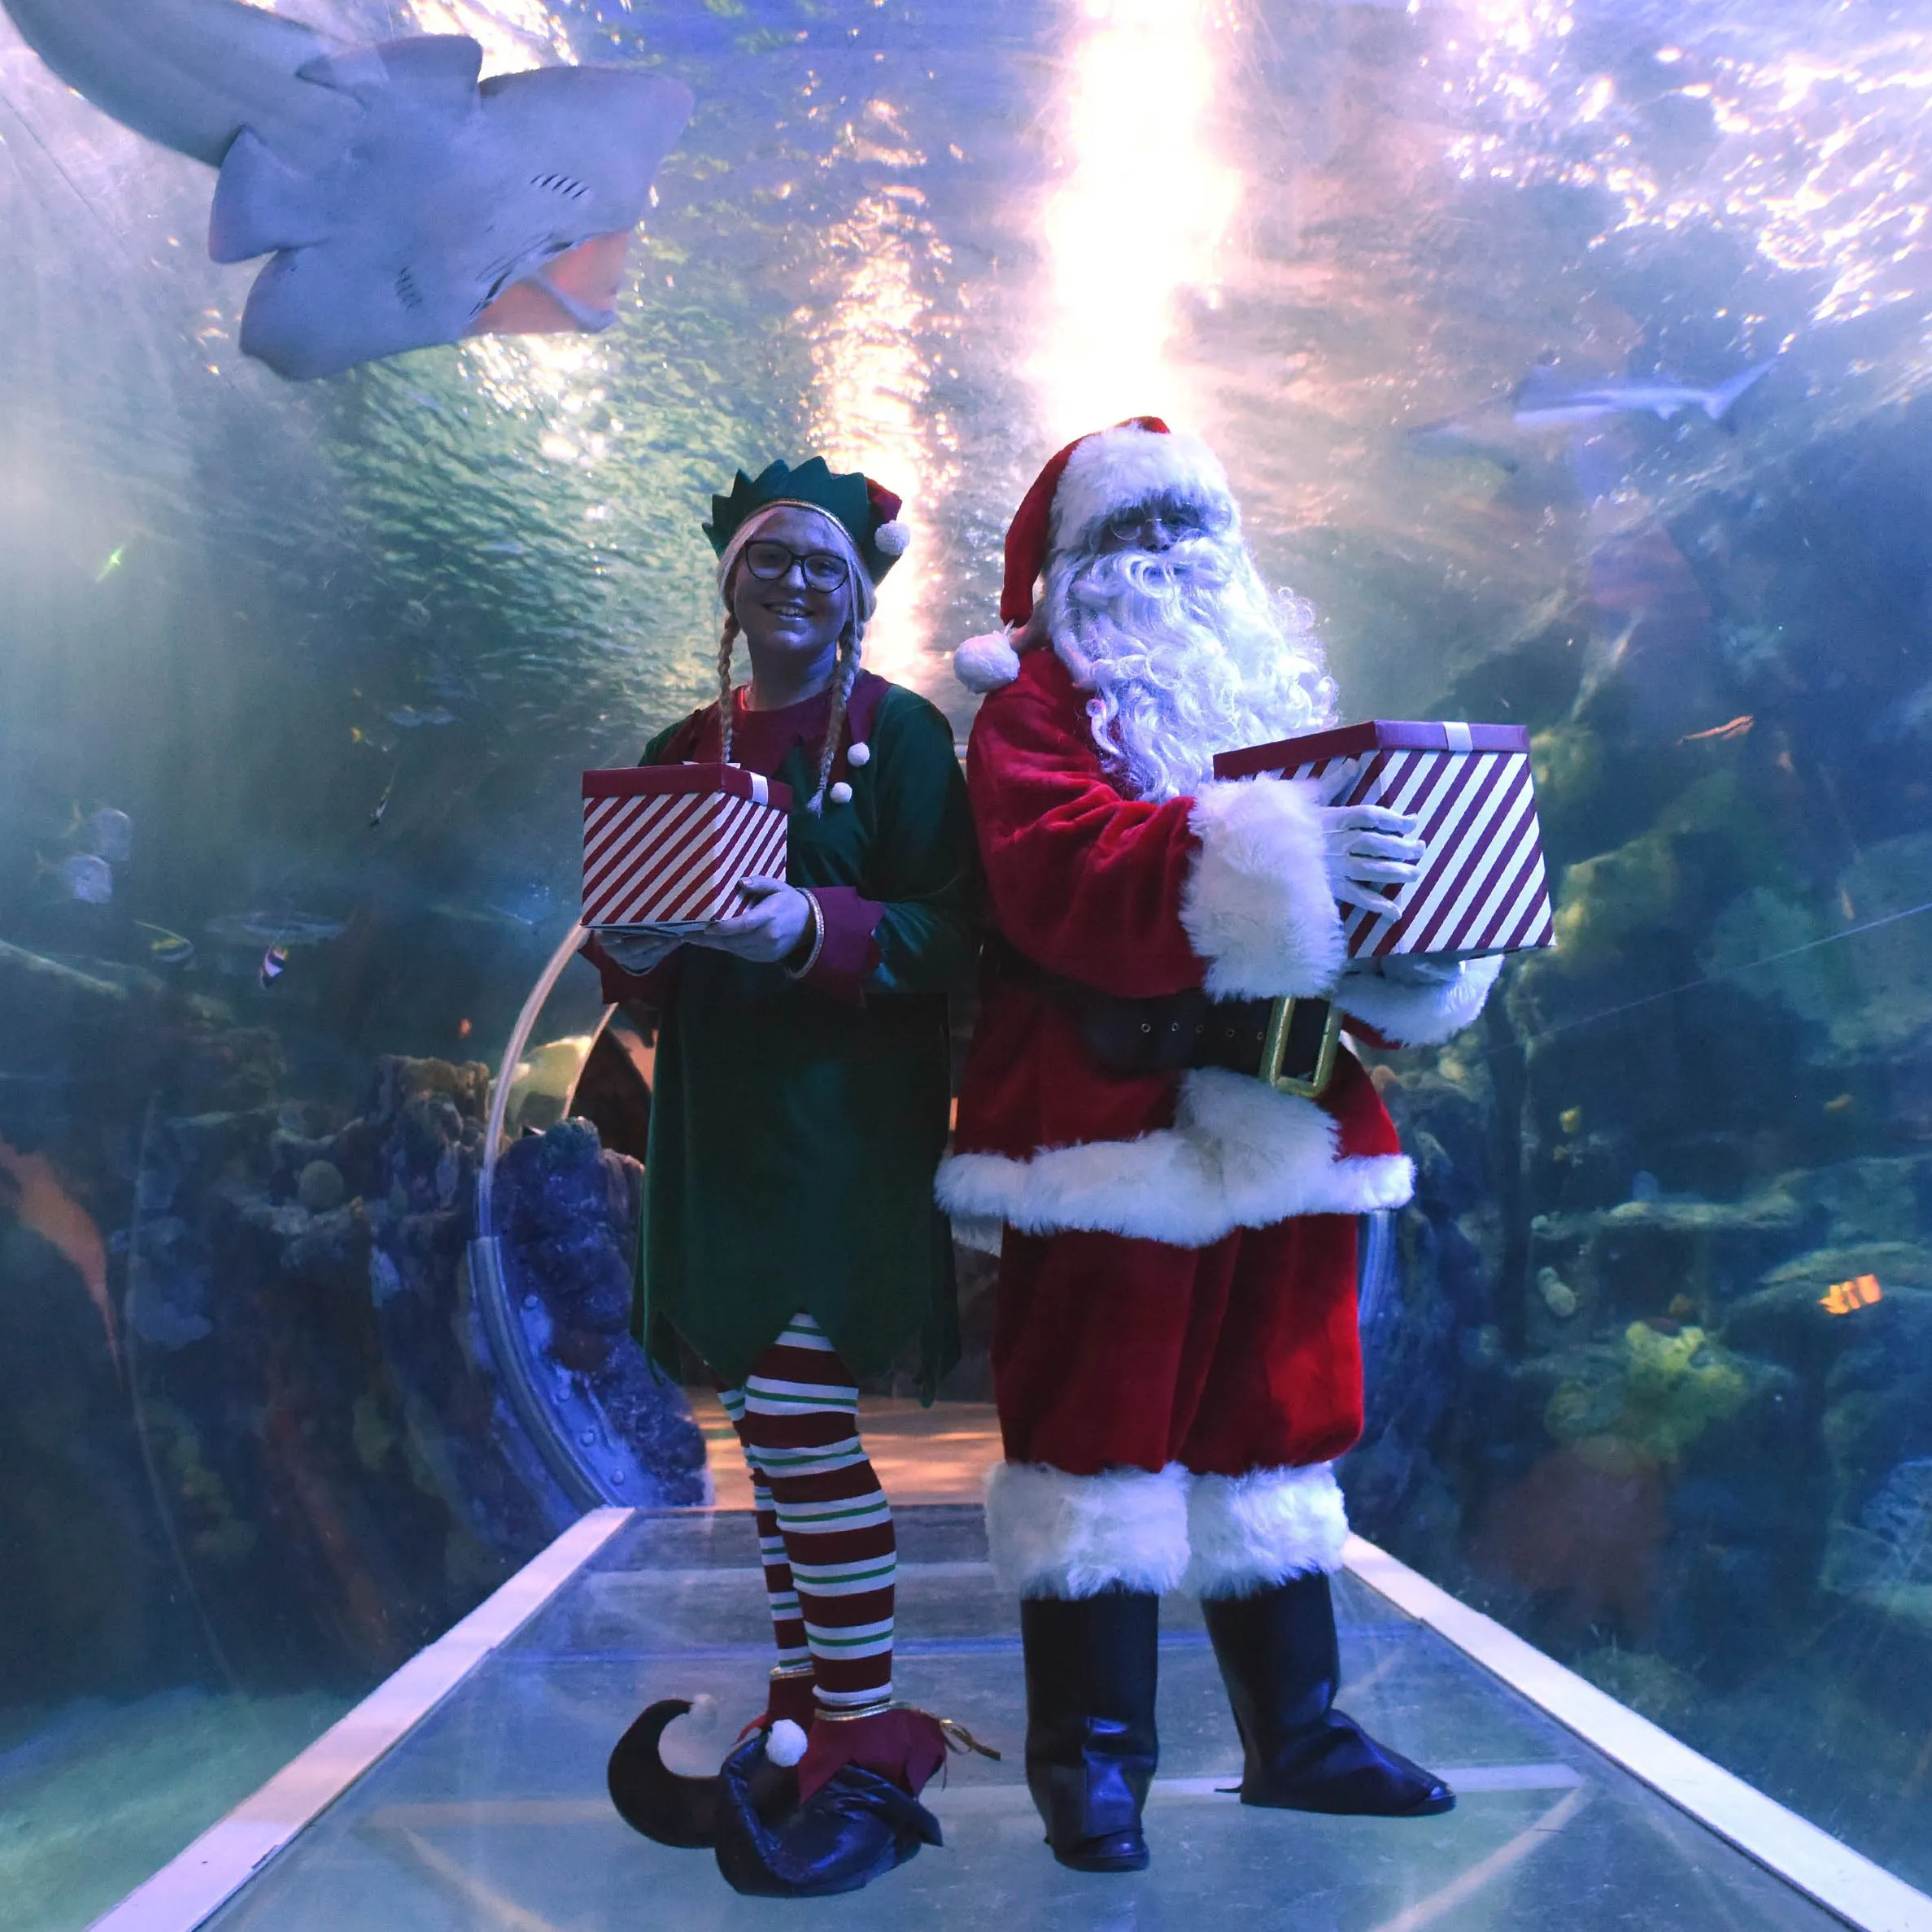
[(1185, 654)]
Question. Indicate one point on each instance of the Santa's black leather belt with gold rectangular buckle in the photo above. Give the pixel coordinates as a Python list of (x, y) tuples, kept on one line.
[(1286, 1042)]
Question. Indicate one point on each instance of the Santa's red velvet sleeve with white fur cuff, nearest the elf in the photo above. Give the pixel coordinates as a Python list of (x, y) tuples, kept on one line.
[(1137, 899)]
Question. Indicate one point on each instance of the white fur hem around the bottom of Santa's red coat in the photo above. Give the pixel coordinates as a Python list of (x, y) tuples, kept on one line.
[(1237, 1156)]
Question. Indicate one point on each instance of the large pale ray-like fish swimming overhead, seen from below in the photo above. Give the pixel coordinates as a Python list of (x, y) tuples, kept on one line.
[(403, 202)]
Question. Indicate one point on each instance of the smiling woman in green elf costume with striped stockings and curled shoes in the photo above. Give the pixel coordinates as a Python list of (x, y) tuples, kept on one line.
[(799, 1118)]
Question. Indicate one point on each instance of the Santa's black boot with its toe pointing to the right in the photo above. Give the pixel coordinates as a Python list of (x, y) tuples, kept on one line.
[(1282, 1664)]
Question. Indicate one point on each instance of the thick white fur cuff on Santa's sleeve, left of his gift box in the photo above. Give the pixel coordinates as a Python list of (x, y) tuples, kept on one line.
[(1257, 905)]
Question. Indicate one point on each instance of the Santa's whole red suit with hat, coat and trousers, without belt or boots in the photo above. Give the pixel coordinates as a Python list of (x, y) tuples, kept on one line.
[(1176, 1342)]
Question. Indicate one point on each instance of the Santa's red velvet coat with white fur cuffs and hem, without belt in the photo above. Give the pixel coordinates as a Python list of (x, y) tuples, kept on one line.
[(1141, 899)]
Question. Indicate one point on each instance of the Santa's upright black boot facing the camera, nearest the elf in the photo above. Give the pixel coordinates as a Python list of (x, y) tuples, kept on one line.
[(1091, 1742)]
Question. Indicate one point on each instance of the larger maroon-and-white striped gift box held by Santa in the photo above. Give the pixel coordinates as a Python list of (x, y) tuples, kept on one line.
[(1483, 886)]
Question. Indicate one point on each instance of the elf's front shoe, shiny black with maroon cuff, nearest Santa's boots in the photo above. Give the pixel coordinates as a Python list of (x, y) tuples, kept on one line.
[(857, 1813)]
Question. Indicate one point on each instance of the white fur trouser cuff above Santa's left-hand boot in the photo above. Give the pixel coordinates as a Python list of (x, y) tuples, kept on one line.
[(1058, 1535)]
